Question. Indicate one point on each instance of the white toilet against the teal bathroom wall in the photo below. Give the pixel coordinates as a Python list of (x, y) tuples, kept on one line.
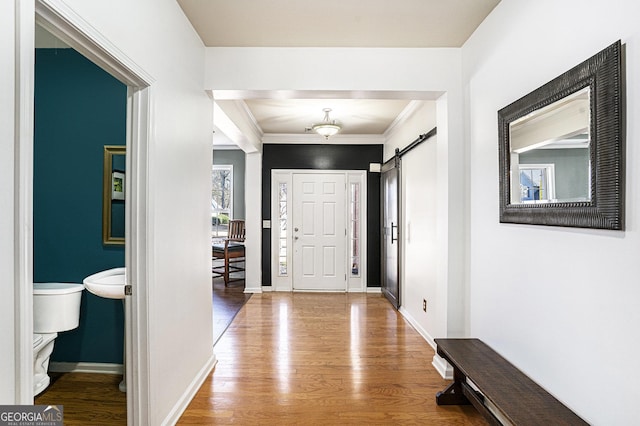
[(56, 308)]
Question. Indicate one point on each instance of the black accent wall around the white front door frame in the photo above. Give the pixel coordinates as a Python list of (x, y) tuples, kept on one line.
[(325, 157)]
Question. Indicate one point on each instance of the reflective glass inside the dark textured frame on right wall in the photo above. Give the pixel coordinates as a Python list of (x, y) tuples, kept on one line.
[(550, 152)]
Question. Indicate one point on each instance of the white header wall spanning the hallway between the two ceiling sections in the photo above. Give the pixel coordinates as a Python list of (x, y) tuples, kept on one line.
[(254, 68)]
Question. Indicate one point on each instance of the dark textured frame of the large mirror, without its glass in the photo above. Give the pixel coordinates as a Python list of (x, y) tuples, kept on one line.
[(602, 73)]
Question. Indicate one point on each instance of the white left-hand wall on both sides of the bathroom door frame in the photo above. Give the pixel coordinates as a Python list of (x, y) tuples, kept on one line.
[(180, 326)]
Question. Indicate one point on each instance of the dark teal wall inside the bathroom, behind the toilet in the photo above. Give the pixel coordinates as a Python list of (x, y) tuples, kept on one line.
[(78, 109)]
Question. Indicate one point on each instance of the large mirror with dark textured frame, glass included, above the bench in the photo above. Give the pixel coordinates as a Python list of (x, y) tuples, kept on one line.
[(561, 149)]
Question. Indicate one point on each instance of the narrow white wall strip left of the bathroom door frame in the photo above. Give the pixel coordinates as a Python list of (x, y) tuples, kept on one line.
[(7, 253)]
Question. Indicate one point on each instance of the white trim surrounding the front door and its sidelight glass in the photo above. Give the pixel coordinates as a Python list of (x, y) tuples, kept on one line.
[(284, 282)]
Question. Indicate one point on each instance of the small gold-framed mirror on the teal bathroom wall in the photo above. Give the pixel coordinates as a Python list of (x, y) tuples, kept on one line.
[(113, 190)]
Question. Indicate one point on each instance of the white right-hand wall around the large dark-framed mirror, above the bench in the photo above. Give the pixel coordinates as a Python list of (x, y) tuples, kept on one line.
[(561, 304)]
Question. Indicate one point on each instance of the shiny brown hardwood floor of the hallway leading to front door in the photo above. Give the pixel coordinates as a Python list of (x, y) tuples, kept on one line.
[(322, 359)]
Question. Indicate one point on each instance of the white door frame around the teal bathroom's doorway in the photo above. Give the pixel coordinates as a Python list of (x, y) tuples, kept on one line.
[(63, 22)]
